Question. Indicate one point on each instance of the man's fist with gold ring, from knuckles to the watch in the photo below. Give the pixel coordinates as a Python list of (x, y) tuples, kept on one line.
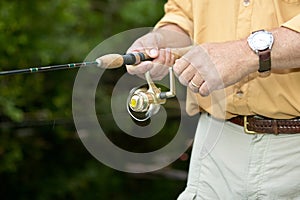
[(213, 66)]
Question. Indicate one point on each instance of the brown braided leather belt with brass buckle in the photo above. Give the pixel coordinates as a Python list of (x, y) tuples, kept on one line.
[(254, 124)]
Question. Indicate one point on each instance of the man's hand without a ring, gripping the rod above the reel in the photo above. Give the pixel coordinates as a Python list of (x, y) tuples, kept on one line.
[(154, 44)]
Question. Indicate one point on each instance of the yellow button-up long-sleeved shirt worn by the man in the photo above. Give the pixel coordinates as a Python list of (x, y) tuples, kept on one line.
[(277, 96)]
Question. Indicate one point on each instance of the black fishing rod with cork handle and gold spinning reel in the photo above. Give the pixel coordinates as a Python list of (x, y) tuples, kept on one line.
[(145, 100)]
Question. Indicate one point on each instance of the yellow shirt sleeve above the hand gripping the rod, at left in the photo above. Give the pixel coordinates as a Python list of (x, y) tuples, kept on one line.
[(178, 12)]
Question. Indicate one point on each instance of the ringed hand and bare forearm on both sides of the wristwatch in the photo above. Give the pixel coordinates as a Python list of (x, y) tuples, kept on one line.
[(212, 66)]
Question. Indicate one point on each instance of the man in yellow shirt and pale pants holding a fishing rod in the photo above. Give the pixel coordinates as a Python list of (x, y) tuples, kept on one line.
[(251, 48)]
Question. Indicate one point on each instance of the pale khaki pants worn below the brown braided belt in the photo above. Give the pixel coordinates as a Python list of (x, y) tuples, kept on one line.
[(227, 163)]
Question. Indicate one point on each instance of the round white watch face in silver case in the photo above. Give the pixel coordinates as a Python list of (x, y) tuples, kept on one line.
[(260, 40)]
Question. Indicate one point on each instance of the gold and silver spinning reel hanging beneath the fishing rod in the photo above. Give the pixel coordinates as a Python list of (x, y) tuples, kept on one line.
[(144, 102)]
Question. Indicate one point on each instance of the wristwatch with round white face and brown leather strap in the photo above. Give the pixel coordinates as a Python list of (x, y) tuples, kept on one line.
[(261, 43)]
